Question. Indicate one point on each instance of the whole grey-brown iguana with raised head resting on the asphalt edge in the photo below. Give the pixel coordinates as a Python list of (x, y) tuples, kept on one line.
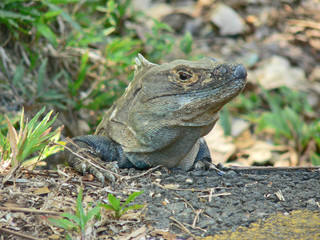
[(162, 116)]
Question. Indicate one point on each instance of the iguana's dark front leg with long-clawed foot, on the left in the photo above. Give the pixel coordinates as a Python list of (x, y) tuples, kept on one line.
[(85, 153)]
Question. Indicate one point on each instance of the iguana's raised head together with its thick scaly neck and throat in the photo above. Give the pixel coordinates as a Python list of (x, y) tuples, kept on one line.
[(167, 101)]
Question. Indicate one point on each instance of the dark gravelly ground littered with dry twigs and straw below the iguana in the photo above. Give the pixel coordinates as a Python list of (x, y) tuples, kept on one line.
[(178, 204)]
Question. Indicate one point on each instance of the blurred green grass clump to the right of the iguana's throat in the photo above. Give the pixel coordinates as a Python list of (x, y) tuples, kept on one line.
[(284, 117)]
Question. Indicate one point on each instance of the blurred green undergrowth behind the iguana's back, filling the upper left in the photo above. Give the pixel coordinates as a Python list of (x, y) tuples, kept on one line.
[(70, 56)]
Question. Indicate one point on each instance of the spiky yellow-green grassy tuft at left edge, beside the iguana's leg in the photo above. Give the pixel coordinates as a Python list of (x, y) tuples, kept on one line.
[(33, 136)]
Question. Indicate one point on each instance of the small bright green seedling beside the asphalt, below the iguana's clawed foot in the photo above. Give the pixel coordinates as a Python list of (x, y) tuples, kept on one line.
[(120, 209)]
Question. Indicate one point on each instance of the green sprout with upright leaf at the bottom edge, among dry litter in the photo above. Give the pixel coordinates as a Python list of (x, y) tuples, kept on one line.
[(77, 221)]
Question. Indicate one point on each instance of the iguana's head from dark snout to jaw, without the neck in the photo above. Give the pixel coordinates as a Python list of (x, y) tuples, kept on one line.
[(191, 92)]
